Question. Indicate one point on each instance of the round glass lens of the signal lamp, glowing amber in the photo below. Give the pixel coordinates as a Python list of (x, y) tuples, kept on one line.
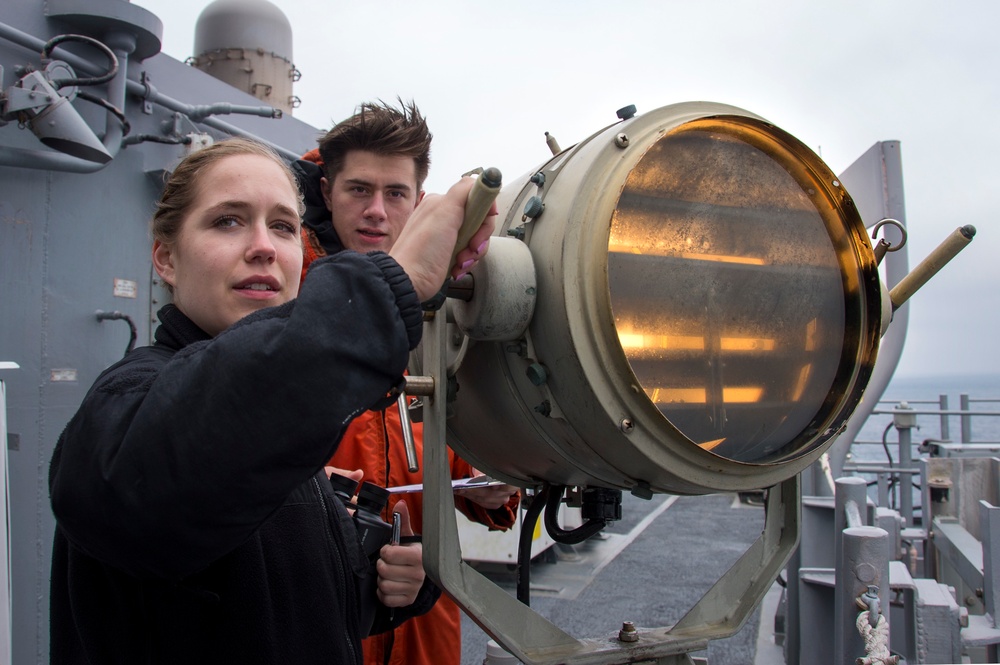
[(727, 289)]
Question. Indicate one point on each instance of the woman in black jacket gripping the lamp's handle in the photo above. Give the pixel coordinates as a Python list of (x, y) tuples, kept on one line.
[(194, 520)]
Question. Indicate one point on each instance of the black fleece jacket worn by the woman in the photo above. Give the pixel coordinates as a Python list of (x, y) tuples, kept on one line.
[(194, 521)]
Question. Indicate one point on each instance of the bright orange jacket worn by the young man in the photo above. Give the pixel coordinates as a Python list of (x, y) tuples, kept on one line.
[(373, 442)]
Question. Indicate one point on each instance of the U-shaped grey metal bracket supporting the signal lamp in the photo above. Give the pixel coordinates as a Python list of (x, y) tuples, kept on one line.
[(721, 612)]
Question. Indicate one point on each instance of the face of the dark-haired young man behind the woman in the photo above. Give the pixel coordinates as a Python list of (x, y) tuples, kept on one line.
[(371, 199)]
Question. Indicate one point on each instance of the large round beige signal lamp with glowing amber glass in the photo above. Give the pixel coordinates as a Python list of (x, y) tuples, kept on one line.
[(684, 302)]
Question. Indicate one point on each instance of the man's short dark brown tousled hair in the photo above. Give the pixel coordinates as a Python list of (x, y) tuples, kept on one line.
[(382, 129)]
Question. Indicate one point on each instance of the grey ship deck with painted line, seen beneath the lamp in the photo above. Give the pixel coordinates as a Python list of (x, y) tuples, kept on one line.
[(649, 568)]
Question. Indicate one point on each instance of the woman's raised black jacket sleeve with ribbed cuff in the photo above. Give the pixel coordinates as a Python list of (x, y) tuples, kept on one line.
[(167, 466)]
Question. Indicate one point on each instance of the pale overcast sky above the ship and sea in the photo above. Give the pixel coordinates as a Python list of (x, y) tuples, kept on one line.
[(493, 77)]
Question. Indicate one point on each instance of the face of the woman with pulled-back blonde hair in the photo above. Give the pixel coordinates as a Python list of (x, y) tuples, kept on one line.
[(239, 248)]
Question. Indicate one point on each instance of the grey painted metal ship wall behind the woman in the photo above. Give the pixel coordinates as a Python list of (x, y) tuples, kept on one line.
[(64, 240)]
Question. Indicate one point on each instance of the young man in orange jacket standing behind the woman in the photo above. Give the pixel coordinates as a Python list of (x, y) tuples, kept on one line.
[(360, 188)]
